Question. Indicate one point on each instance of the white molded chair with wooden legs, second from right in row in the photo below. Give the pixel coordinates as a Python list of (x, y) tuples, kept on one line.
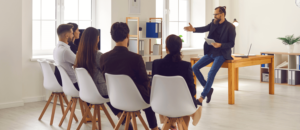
[(124, 95)]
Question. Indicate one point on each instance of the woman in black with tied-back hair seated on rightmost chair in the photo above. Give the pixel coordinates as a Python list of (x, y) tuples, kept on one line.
[(172, 65)]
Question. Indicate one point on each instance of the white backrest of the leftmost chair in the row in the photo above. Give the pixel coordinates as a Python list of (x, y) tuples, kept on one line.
[(50, 81)]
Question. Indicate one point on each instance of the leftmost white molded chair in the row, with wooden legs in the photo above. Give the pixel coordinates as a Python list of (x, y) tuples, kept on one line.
[(50, 83)]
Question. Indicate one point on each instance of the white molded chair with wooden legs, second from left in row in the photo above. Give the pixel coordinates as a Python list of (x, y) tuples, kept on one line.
[(69, 89)]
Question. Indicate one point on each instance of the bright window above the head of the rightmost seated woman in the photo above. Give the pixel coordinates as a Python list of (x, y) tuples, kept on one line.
[(177, 16)]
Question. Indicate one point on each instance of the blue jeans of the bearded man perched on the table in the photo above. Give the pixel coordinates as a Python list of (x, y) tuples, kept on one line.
[(204, 61)]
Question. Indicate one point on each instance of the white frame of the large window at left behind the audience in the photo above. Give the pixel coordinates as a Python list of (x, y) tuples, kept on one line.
[(59, 19)]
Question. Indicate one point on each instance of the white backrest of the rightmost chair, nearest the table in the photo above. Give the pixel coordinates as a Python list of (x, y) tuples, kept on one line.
[(171, 97)]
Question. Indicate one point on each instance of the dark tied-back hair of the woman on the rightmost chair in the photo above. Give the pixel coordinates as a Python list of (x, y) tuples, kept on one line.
[(174, 44)]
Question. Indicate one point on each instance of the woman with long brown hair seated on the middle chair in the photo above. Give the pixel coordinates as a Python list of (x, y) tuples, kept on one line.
[(88, 57)]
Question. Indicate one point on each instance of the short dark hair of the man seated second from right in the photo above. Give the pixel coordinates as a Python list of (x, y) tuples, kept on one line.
[(119, 31)]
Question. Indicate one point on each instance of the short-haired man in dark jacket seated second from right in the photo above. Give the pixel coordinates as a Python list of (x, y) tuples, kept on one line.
[(121, 61)]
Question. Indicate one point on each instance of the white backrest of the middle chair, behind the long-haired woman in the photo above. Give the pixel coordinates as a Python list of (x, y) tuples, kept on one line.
[(88, 90)]
